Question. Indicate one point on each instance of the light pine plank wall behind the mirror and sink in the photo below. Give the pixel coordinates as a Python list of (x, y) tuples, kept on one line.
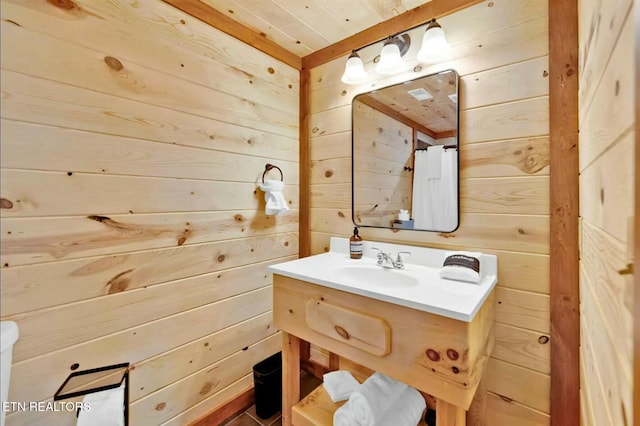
[(500, 49)]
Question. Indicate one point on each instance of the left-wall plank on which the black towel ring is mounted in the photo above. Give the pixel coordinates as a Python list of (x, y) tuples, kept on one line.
[(78, 151)]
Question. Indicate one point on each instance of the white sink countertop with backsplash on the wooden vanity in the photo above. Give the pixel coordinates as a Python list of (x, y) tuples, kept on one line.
[(417, 286)]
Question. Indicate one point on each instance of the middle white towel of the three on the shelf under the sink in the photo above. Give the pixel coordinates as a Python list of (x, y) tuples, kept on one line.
[(373, 398)]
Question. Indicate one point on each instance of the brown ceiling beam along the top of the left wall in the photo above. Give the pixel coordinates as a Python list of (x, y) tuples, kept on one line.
[(216, 19)]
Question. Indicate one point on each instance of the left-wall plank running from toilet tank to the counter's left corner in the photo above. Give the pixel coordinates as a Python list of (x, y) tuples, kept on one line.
[(48, 331)]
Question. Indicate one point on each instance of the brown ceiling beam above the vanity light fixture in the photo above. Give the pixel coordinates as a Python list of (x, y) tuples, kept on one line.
[(409, 19)]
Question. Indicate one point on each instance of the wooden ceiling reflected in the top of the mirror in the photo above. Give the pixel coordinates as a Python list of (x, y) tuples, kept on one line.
[(437, 113)]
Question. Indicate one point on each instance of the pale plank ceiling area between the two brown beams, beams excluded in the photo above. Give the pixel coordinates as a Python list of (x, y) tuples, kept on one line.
[(305, 26)]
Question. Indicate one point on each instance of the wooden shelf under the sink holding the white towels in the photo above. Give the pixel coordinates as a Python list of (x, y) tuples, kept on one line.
[(317, 409)]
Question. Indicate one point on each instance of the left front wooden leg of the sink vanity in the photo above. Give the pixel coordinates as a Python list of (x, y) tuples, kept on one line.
[(290, 375)]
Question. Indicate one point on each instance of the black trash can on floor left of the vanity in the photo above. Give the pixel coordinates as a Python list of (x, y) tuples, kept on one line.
[(267, 380)]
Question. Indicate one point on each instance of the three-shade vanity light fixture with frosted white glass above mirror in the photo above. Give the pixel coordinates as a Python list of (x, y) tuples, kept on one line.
[(434, 49)]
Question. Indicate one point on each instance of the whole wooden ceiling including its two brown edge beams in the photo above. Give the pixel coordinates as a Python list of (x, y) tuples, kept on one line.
[(307, 33)]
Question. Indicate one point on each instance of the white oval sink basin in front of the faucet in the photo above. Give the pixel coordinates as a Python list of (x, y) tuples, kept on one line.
[(374, 276)]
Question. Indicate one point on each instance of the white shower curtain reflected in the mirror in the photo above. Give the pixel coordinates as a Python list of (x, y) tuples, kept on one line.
[(435, 198)]
